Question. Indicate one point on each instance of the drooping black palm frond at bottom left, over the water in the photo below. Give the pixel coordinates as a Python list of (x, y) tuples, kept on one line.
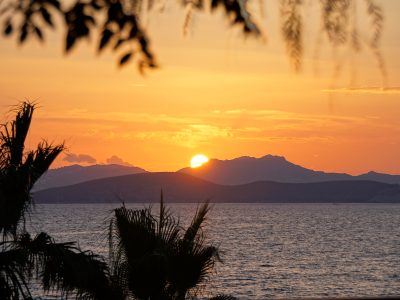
[(65, 268)]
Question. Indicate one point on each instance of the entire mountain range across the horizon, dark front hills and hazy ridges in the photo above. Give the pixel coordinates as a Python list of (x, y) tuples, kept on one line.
[(245, 179)]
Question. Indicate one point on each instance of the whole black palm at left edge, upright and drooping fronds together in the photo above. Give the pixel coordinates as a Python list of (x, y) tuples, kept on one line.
[(59, 266)]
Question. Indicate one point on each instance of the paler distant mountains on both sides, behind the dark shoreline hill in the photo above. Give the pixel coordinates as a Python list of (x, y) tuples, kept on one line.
[(242, 170)]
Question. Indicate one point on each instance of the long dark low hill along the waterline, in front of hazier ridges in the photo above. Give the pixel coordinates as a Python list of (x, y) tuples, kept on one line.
[(180, 187)]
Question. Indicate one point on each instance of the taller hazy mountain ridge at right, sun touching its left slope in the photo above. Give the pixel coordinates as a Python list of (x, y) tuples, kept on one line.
[(246, 169)]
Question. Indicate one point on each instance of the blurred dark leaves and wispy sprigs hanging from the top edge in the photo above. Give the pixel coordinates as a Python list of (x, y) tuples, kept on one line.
[(117, 24)]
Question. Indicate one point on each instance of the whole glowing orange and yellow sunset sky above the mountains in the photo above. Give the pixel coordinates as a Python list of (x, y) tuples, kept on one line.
[(215, 93)]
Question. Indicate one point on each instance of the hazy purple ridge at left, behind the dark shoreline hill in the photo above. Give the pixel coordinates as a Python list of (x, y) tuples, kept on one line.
[(75, 174)]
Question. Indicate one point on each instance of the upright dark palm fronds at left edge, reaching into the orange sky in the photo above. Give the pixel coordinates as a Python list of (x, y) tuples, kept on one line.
[(19, 171)]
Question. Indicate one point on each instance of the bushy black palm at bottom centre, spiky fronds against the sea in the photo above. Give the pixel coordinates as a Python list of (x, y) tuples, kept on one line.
[(153, 257)]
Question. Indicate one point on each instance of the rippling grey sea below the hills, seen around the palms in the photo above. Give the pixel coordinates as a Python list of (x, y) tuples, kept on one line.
[(268, 251)]
